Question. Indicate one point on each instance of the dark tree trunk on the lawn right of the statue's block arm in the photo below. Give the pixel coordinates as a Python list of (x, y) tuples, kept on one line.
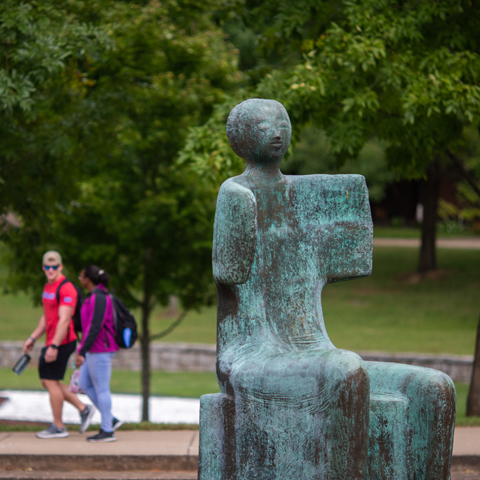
[(428, 260)]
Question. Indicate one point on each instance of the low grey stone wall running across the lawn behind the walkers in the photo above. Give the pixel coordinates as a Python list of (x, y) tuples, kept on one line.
[(201, 358)]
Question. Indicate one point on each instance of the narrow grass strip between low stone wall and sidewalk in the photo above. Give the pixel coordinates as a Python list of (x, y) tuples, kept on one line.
[(179, 384)]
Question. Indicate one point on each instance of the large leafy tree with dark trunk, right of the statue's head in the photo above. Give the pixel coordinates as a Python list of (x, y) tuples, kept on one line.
[(389, 69)]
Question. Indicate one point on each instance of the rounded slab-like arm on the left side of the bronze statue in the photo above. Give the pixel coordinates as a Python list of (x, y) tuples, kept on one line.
[(235, 234)]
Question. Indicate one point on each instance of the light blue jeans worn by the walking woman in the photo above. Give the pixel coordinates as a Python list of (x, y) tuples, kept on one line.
[(95, 376)]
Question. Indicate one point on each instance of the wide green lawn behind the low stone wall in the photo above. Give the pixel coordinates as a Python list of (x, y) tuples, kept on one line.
[(382, 312)]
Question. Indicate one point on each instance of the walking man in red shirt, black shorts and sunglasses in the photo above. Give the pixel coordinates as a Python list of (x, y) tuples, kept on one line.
[(60, 343)]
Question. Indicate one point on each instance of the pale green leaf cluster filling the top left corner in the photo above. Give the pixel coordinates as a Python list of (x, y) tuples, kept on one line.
[(38, 39)]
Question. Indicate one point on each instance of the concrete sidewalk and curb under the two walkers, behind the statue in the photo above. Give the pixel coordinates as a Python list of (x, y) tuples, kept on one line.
[(160, 452)]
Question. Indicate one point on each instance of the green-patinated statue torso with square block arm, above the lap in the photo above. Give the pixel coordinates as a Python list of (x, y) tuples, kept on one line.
[(304, 226)]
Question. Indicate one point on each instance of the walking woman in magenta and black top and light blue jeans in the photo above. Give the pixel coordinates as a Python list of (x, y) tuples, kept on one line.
[(97, 349)]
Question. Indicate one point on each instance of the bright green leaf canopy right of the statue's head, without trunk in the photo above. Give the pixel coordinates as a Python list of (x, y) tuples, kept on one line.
[(389, 69)]
